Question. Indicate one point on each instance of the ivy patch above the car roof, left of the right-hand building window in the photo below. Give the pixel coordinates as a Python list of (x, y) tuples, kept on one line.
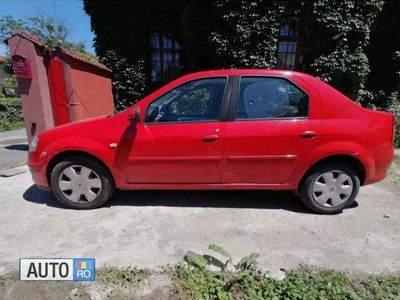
[(248, 35)]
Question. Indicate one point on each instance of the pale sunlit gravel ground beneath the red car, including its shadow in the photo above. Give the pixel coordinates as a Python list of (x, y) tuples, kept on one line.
[(151, 228)]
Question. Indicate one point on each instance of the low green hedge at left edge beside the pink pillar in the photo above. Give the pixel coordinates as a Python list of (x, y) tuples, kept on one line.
[(10, 114)]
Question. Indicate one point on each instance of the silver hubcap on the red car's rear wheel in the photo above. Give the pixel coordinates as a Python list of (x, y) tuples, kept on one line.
[(332, 188)]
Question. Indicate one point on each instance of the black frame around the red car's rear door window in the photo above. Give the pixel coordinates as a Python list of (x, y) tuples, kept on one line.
[(236, 95)]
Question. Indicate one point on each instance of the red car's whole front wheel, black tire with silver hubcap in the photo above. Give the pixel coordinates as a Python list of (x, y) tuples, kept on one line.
[(81, 183)]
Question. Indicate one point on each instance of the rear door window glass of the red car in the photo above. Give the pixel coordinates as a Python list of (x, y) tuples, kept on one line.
[(269, 97)]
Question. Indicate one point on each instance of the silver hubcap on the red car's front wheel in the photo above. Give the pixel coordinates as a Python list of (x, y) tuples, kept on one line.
[(79, 184)]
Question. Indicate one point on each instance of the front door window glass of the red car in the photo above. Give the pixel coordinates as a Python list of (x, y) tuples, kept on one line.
[(198, 100)]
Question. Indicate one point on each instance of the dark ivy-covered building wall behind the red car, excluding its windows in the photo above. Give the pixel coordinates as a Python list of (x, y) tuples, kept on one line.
[(339, 39)]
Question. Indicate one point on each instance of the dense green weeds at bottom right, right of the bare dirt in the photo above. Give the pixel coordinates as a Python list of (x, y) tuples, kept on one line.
[(194, 280)]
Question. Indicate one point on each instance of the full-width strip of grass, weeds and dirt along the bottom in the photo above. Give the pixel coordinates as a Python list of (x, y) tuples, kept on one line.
[(214, 277)]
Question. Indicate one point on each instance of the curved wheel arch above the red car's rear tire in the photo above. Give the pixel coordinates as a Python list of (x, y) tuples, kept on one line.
[(350, 160)]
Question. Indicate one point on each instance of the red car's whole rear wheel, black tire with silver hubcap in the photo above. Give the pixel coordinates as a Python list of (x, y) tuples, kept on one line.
[(330, 188)]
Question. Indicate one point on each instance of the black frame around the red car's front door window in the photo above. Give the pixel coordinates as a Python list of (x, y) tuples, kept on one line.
[(225, 101)]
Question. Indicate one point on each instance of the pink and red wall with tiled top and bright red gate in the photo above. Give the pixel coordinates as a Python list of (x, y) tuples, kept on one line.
[(63, 86)]
